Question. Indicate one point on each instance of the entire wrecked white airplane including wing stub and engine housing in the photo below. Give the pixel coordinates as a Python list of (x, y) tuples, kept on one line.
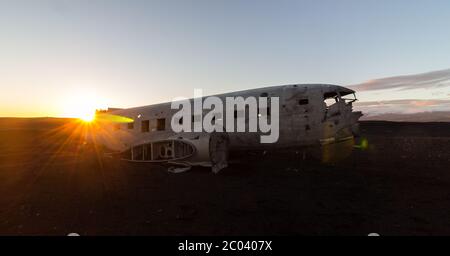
[(308, 116)]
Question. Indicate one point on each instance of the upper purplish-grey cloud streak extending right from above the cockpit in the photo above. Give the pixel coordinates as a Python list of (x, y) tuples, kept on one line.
[(431, 79)]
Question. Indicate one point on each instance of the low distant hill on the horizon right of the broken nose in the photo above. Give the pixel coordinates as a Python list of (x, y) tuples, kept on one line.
[(435, 116)]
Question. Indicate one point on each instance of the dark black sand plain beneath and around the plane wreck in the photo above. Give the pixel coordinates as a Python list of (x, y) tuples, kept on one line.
[(398, 185)]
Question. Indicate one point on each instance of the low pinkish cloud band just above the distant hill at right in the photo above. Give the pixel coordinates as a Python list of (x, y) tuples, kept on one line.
[(402, 106)]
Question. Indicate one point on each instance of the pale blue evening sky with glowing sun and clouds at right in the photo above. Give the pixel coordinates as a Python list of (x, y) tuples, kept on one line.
[(60, 56)]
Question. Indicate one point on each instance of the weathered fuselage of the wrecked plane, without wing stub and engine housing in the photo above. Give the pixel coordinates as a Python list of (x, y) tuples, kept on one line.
[(309, 115)]
